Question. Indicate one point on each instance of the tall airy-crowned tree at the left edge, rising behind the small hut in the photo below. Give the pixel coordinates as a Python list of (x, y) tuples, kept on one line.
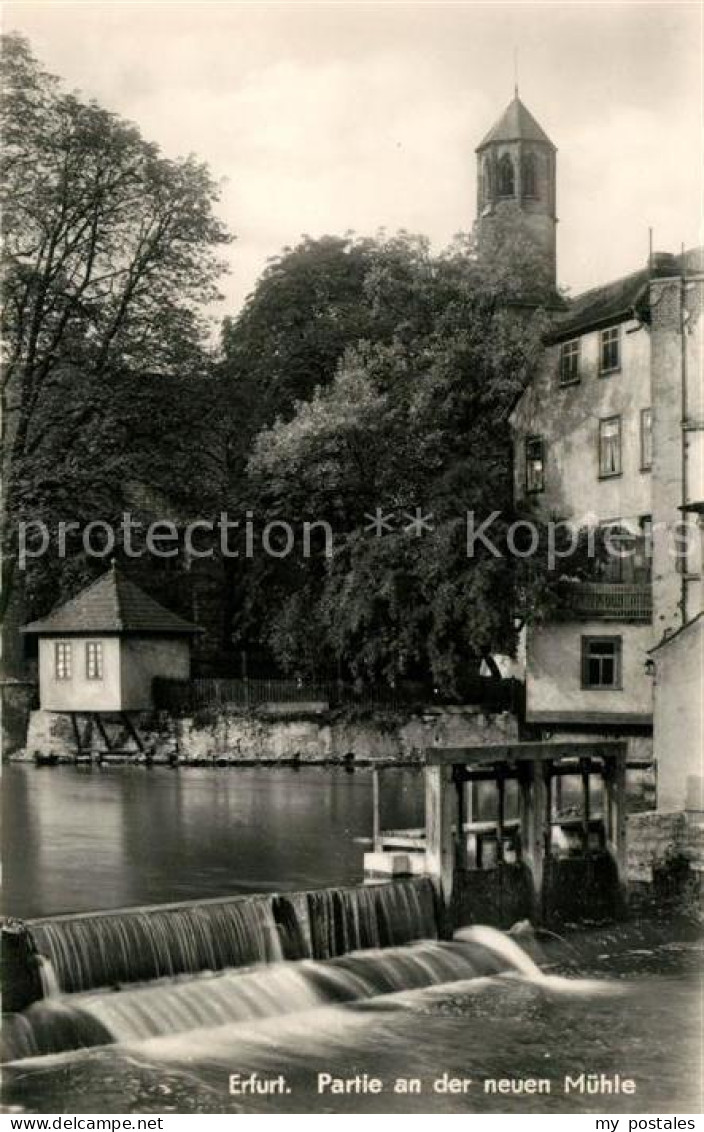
[(110, 262)]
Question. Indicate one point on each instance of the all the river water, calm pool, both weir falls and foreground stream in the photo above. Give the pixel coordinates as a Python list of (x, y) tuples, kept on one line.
[(173, 1009)]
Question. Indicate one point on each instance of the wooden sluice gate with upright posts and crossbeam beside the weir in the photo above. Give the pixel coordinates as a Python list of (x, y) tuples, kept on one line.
[(552, 848)]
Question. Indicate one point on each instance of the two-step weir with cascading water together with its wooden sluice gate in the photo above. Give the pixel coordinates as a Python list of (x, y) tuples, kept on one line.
[(136, 974)]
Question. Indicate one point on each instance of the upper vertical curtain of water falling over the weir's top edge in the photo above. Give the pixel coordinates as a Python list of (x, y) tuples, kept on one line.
[(142, 945)]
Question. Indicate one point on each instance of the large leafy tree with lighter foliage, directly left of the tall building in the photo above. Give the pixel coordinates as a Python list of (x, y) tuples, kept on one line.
[(413, 425)]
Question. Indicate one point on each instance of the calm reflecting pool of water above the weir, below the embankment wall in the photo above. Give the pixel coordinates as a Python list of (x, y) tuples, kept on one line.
[(78, 839)]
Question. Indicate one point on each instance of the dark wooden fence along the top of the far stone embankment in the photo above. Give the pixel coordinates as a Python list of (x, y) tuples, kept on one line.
[(182, 697)]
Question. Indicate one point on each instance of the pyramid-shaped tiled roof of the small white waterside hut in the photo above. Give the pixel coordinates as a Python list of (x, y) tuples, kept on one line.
[(111, 605)]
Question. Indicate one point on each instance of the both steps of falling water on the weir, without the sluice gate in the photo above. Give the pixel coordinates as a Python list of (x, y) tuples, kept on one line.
[(147, 973)]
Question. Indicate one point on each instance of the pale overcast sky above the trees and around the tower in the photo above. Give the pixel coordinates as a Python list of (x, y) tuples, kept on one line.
[(323, 118)]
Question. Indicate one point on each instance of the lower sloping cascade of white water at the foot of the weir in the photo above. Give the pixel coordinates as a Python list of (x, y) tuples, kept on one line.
[(183, 1006)]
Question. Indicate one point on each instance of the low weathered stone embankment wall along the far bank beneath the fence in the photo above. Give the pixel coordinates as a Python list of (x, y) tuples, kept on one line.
[(314, 737)]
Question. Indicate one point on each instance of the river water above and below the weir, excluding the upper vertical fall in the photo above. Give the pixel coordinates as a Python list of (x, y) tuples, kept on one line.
[(607, 1001)]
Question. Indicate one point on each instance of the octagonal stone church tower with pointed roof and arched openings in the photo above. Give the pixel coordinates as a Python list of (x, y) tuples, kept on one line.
[(517, 174)]
